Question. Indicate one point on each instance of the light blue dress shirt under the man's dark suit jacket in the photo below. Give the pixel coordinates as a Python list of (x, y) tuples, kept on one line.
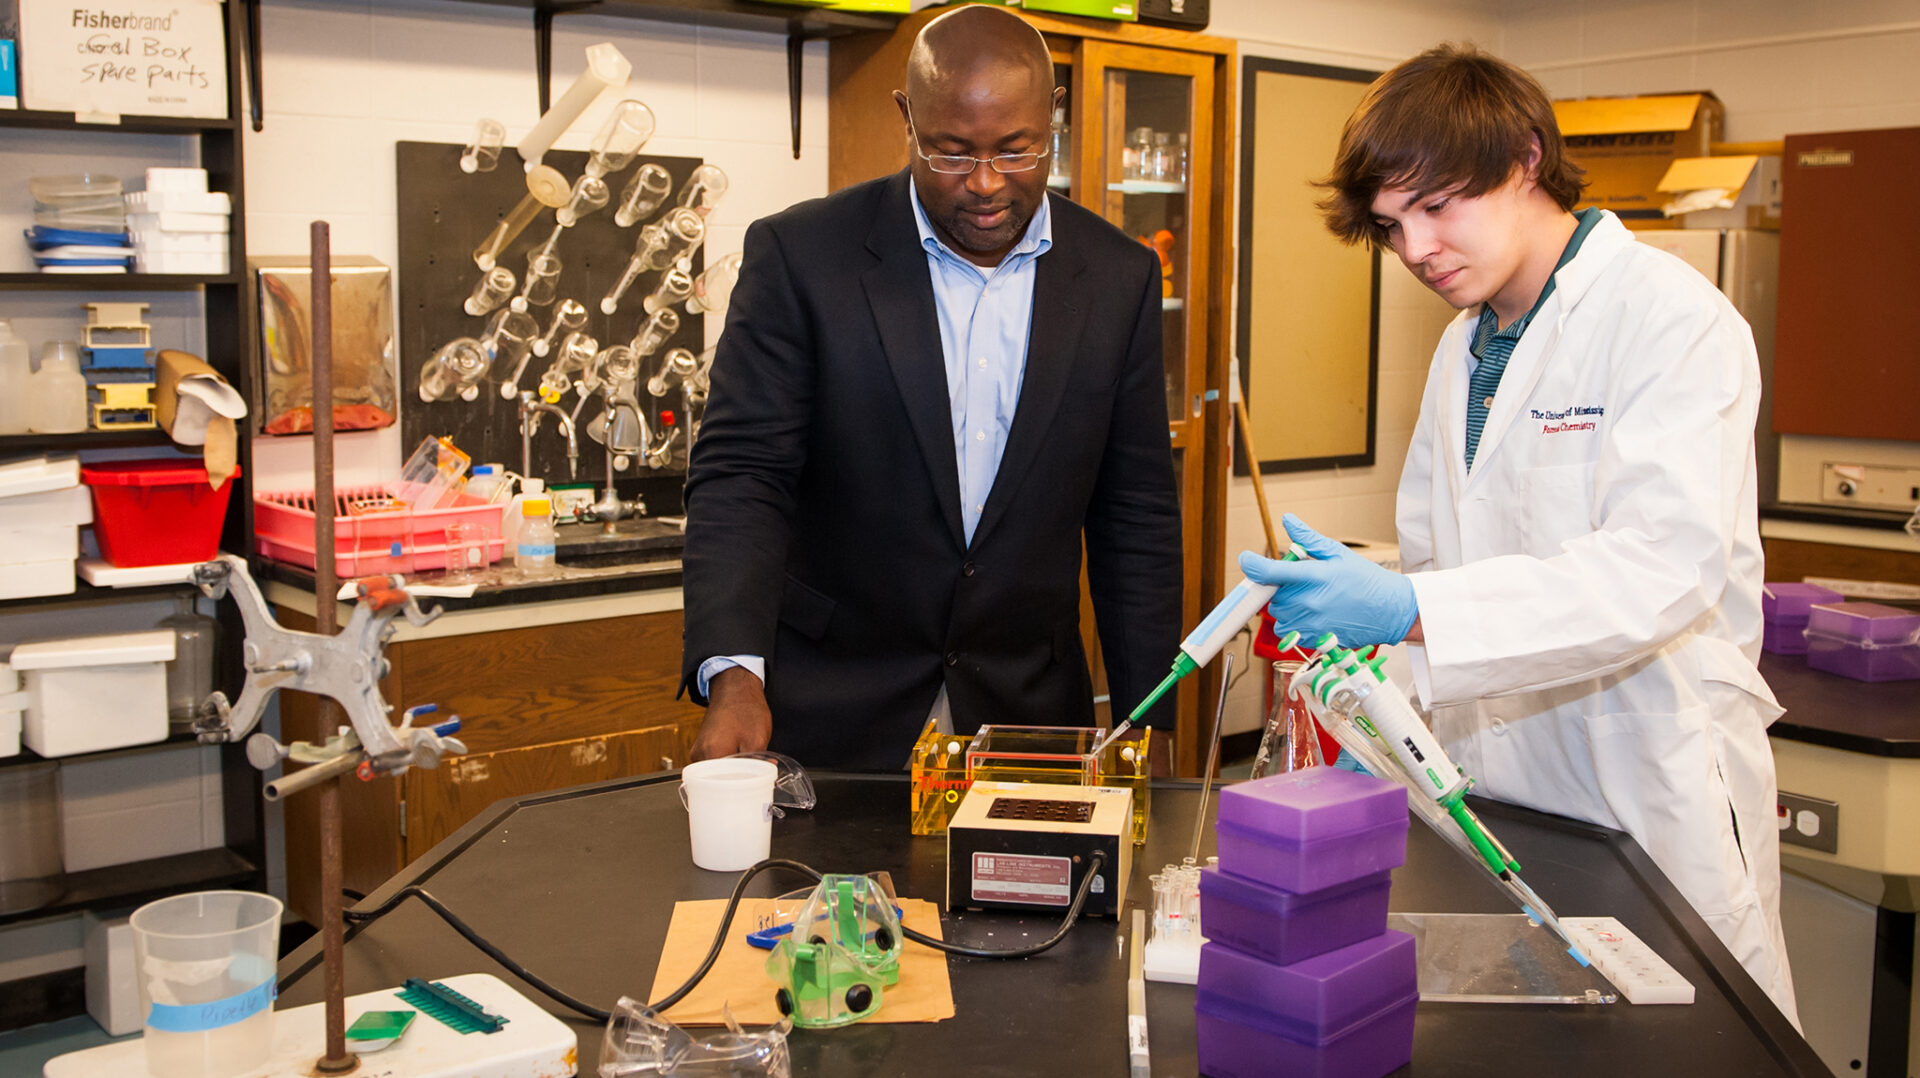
[(984, 314)]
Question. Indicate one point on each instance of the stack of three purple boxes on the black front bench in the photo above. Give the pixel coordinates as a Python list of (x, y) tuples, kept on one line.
[(1301, 975)]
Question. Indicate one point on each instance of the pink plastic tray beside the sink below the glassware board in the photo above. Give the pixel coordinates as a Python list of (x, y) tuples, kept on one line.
[(370, 543)]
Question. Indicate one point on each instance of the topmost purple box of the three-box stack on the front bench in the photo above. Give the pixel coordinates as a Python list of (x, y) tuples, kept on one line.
[(1312, 829)]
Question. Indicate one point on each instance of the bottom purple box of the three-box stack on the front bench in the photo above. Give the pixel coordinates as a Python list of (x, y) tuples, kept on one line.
[(1347, 1014)]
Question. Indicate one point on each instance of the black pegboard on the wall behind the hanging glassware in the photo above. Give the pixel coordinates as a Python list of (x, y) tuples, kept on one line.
[(444, 214)]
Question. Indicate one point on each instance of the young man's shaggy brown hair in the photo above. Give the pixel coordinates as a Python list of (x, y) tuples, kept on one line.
[(1452, 118)]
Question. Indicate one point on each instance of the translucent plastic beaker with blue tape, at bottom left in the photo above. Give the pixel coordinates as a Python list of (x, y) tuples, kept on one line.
[(206, 971)]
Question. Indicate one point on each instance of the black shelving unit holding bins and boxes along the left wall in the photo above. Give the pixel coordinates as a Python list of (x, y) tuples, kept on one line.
[(241, 862)]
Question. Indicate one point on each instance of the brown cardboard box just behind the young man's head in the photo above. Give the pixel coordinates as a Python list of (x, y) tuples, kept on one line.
[(1627, 145)]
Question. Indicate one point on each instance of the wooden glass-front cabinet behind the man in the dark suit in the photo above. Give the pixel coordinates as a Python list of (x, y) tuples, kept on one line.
[(1145, 141)]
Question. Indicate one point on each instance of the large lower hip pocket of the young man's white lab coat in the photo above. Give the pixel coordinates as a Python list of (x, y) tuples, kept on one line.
[(1662, 779)]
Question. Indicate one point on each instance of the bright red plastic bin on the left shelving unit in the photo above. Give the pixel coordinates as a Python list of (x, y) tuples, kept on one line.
[(156, 512)]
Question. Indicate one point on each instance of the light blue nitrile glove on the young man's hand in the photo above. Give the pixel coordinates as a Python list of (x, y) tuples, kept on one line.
[(1337, 593)]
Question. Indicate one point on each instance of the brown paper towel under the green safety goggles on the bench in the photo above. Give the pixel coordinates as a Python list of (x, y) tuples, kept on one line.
[(740, 977)]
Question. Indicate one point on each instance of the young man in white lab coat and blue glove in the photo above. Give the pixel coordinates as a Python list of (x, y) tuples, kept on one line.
[(1577, 512)]
